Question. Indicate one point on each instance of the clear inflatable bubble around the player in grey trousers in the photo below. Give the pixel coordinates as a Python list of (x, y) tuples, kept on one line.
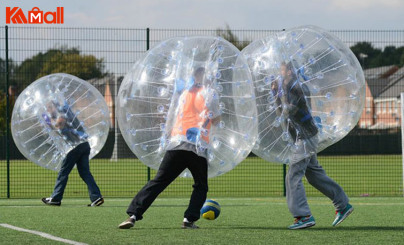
[(310, 92)]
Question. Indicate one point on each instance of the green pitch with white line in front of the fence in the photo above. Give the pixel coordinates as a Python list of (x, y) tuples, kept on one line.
[(242, 221)]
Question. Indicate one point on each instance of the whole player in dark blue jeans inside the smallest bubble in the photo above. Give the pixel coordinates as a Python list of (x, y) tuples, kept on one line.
[(66, 124)]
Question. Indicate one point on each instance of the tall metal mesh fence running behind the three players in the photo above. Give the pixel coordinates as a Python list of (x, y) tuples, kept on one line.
[(368, 162)]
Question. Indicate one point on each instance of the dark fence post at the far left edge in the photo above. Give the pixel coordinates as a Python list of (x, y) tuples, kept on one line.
[(7, 116)]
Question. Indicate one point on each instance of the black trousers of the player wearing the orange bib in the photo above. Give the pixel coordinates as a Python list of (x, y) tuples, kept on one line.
[(173, 164)]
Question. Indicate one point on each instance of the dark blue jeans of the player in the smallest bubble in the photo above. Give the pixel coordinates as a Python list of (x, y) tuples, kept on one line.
[(80, 157)]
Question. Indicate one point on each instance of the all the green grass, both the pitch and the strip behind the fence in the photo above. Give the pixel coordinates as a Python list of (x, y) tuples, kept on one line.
[(254, 210)]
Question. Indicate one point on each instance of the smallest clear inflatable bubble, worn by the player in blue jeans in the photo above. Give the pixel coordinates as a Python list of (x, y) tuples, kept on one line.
[(55, 114)]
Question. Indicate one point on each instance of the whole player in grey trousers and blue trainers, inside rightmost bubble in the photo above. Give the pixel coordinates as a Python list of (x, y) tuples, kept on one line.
[(293, 99)]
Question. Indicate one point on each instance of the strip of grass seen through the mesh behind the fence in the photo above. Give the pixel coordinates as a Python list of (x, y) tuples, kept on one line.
[(370, 175)]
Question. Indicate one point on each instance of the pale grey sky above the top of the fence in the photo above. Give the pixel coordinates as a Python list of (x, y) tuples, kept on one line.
[(212, 14)]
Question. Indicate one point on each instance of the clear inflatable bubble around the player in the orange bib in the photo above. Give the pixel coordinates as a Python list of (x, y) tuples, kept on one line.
[(195, 91)]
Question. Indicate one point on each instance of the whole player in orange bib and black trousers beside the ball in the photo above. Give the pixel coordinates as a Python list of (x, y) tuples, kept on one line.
[(196, 112)]
